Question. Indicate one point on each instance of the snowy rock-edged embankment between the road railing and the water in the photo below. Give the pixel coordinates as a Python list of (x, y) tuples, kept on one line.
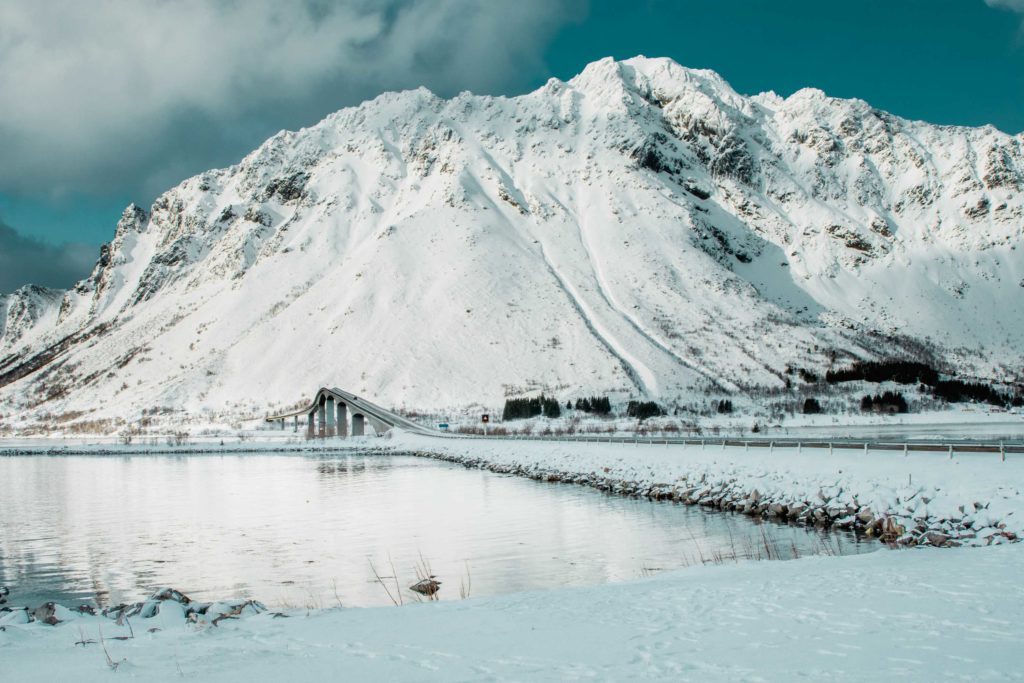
[(918, 499)]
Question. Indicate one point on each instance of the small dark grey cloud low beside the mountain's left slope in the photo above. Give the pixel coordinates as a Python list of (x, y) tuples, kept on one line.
[(25, 262)]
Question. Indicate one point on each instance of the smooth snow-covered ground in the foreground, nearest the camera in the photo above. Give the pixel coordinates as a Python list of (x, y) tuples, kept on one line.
[(922, 615)]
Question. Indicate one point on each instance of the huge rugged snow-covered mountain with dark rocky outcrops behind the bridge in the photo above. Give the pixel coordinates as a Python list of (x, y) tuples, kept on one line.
[(641, 229)]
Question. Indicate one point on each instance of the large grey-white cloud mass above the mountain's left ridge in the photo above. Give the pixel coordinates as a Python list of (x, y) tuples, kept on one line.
[(142, 93)]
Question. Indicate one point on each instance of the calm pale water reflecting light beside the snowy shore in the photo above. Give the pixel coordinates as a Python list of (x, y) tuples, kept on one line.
[(298, 531)]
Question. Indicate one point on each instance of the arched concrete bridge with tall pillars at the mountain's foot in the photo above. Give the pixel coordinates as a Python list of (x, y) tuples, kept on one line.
[(332, 411)]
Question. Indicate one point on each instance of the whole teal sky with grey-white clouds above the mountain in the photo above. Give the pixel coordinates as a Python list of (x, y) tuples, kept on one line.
[(114, 102)]
